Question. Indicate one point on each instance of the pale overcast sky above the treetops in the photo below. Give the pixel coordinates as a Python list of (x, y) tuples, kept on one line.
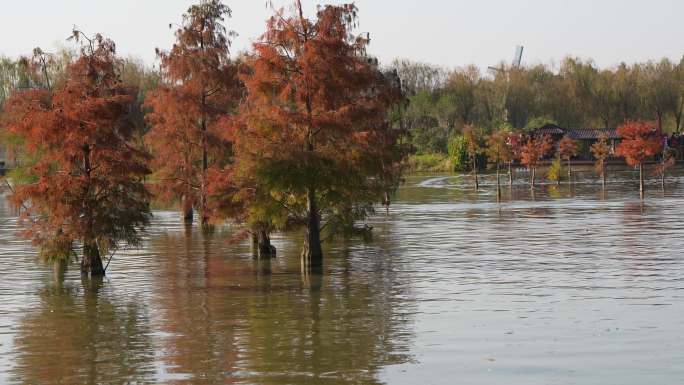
[(446, 32)]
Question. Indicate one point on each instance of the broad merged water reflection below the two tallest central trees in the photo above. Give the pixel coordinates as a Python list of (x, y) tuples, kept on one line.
[(229, 318)]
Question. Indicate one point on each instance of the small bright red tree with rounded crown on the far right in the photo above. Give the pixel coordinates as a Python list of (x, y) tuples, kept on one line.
[(640, 141)]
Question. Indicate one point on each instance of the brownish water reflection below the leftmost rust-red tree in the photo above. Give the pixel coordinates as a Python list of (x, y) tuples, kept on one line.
[(82, 335)]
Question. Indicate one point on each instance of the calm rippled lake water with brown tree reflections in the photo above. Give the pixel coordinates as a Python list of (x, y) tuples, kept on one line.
[(563, 286)]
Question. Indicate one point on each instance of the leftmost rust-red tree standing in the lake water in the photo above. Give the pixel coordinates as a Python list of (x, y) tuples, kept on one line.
[(88, 180)]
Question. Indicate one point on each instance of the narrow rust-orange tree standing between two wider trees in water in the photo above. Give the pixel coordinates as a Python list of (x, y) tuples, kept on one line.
[(200, 86)]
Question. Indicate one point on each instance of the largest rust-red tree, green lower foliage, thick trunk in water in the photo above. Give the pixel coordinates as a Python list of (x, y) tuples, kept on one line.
[(316, 135)]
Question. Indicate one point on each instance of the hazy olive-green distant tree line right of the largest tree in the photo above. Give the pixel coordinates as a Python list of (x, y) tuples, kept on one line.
[(575, 94)]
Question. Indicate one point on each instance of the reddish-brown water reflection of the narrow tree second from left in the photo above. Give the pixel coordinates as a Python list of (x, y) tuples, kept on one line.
[(197, 321)]
